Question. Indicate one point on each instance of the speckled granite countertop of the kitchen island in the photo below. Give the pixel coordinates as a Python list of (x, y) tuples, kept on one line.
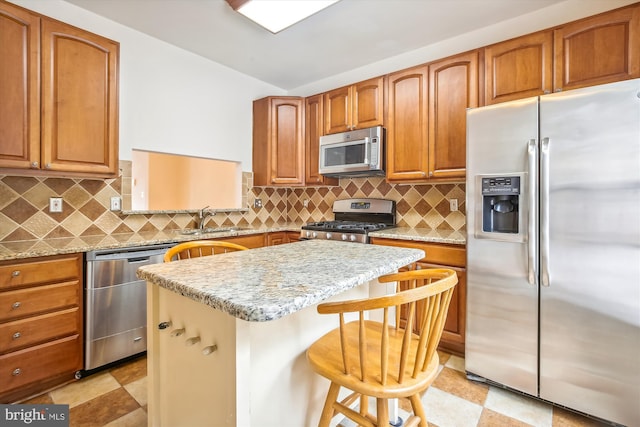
[(271, 282)]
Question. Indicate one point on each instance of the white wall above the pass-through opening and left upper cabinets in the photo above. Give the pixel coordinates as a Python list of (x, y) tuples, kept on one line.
[(172, 100)]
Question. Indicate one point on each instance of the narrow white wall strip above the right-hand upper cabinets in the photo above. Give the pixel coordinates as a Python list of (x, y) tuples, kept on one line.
[(566, 11)]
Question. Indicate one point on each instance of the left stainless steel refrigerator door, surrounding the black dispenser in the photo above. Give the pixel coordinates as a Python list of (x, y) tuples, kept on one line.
[(502, 299)]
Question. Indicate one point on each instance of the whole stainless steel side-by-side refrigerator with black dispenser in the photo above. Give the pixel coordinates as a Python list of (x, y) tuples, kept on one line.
[(553, 248)]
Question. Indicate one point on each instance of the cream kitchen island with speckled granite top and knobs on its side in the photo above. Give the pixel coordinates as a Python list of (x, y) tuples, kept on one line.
[(227, 334)]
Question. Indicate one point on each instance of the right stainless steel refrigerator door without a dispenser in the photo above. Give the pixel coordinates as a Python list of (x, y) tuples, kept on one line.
[(590, 251)]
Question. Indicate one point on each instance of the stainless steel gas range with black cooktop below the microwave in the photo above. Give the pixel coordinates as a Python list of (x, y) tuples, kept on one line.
[(354, 219)]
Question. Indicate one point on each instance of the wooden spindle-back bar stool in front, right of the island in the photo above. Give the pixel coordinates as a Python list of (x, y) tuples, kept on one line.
[(379, 359)]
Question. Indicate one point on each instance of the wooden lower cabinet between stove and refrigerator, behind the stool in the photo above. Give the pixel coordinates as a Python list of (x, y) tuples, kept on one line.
[(443, 256)]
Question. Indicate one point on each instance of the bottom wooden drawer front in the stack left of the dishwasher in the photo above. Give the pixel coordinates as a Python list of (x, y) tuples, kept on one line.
[(39, 363)]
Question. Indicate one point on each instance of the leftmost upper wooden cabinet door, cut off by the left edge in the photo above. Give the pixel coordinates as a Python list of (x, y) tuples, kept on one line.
[(19, 88)]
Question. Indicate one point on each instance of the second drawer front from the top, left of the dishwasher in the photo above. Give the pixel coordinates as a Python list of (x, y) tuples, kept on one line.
[(26, 302)]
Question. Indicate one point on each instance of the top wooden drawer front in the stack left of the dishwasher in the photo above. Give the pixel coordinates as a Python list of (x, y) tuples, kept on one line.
[(43, 270)]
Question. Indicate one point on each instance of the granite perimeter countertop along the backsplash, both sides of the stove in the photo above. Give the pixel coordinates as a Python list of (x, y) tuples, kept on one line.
[(13, 250)]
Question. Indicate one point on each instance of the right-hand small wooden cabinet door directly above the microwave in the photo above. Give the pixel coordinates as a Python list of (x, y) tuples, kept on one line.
[(367, 103)]
